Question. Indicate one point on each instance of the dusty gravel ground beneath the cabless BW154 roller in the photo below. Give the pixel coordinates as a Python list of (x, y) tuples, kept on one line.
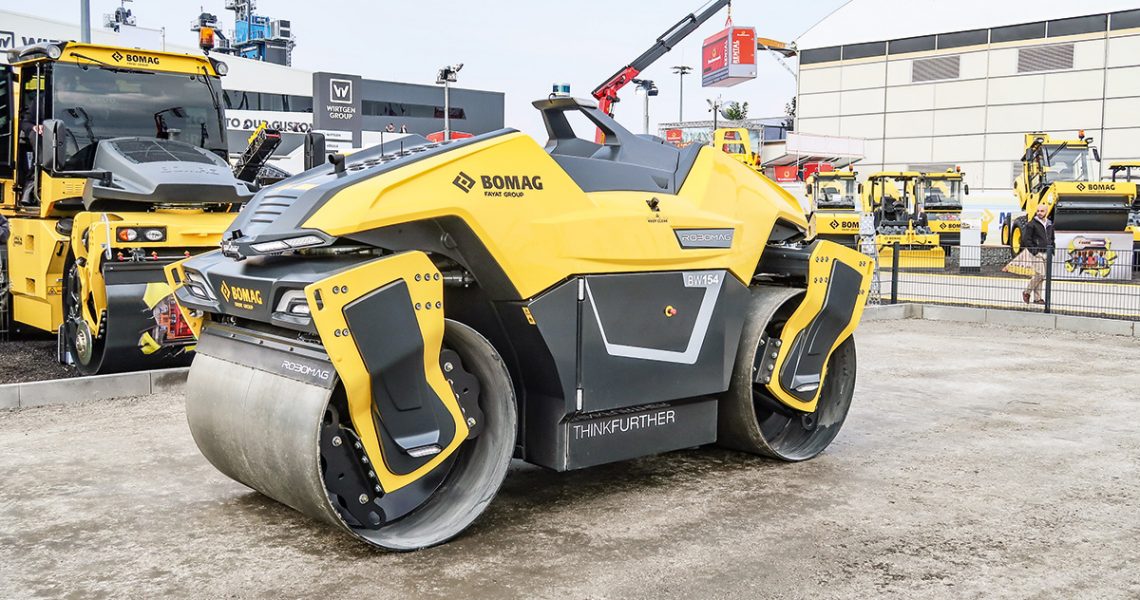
[(974, 474)]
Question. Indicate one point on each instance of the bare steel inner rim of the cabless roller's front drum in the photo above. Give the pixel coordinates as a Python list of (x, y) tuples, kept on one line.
[(482, 466)]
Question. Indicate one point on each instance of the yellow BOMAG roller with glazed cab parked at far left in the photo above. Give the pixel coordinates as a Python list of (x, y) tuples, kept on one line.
[(113, 165)]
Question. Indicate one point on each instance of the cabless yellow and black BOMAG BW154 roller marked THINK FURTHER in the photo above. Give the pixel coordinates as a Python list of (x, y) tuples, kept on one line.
[(380, 336)]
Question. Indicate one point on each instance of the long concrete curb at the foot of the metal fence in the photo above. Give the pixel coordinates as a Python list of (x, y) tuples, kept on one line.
[(1016, 319)]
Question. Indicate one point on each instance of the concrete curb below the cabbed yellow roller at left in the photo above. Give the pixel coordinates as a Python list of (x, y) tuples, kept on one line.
[(93, 388)]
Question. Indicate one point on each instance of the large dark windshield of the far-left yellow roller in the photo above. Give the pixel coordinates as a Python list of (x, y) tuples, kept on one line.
[(97, 103)]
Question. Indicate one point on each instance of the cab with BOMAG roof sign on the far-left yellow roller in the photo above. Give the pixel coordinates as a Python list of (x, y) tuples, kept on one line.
[(84, 95)]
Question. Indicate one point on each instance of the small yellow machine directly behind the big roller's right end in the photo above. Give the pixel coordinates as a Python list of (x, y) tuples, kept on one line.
[(833, 197)]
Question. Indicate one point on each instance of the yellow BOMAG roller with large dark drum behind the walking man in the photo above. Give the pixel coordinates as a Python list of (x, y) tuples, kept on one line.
[(1060, 174)]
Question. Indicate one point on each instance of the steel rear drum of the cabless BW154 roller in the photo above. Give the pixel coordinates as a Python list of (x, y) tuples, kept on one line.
[(753, 421)]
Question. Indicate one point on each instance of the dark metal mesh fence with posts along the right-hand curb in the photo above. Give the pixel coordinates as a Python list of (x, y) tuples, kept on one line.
[(1085, 283)]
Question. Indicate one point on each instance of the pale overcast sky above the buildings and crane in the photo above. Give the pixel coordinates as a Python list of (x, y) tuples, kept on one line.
[(519, 47)]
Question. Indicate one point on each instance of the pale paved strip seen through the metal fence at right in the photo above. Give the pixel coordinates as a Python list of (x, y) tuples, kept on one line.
[(1080, 298)]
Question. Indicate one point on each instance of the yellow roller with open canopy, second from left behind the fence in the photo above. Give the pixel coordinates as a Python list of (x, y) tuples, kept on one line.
[(900, 218)]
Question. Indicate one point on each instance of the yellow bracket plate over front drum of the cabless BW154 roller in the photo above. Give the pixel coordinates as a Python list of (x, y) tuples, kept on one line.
[(330, 303)]
